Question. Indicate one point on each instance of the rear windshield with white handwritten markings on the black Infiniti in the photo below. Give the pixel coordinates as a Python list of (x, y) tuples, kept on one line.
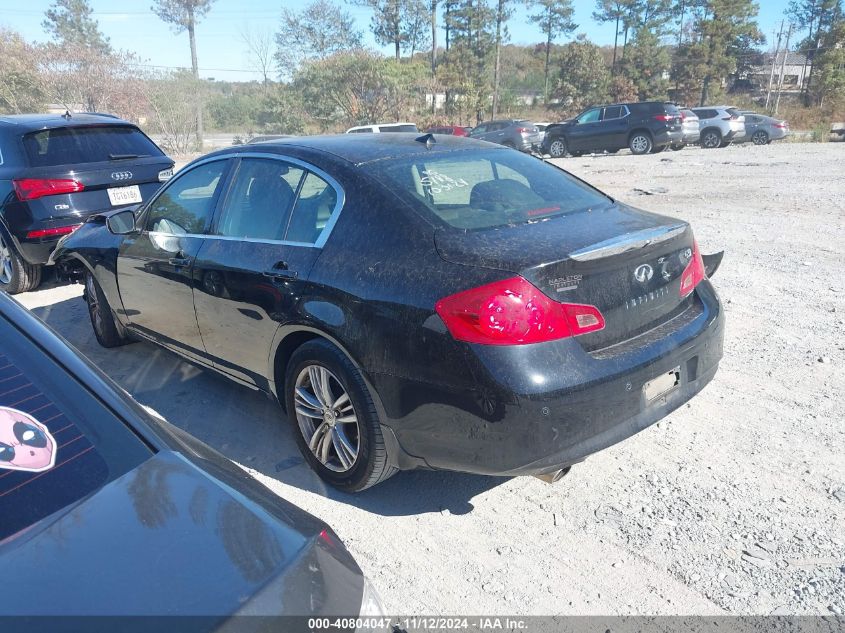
[(482, 189)]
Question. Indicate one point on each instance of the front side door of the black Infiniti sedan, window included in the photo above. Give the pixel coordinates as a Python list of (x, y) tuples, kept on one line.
[(155, 270)]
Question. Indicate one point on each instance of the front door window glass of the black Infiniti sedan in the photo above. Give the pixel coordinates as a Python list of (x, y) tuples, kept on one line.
[(187, 204)]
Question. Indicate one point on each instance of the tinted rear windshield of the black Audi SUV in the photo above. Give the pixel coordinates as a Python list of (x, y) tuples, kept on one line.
[(89, 144)]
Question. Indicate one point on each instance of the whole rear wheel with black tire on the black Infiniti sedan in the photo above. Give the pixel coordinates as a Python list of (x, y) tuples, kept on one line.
[(316, 373)]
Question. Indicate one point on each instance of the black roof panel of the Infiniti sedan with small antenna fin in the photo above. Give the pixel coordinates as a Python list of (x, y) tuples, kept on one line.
[(363, 148)]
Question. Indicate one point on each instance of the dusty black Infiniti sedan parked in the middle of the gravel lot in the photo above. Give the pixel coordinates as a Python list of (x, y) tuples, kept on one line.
[(412, 301)]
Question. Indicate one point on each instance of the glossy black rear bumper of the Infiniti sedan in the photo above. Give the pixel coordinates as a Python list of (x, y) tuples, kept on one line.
[(540, 408)]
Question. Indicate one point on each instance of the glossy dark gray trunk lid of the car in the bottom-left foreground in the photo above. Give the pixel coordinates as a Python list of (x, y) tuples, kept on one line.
[(169, 539)]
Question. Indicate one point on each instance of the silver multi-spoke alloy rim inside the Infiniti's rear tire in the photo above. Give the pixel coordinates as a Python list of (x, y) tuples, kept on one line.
[(327, 418)]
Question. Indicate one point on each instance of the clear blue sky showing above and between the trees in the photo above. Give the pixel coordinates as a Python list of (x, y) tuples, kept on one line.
[(133, 26)]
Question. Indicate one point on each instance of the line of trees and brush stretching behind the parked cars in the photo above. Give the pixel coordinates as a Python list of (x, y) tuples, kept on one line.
[(450, 60)]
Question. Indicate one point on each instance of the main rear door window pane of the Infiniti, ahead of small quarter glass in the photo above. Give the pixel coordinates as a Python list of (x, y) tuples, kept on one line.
[(259, 202)]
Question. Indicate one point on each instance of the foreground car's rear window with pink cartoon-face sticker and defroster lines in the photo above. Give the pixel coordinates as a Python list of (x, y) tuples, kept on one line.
[(57, 443)]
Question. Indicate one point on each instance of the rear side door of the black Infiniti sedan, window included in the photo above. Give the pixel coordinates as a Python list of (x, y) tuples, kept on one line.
[(253, 269)]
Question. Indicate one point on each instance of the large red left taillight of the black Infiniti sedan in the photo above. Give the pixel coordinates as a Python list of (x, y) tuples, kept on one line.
[(514, 312)]
